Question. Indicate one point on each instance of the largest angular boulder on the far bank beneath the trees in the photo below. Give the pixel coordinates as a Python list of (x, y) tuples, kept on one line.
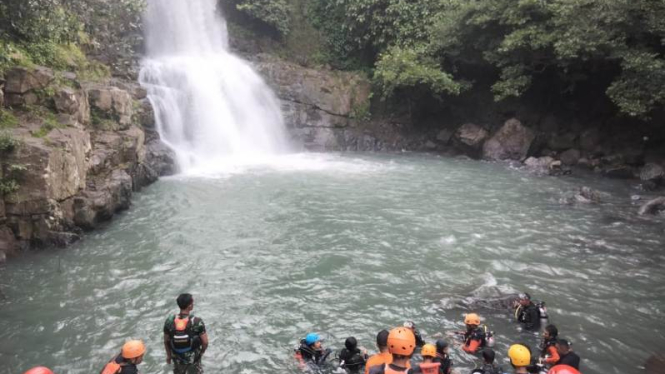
[(511, 142)]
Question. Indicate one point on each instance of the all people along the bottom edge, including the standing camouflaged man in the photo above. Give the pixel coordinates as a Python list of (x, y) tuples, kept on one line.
[(186, 340)]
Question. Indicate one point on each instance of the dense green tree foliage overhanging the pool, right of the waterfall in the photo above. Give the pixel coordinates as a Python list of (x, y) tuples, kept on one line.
[(443, 45)]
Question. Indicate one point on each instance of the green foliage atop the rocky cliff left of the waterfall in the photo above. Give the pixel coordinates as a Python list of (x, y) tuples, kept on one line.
[(54, 32)]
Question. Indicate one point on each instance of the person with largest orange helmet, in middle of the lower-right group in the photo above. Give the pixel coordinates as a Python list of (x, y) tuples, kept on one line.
[(401, 344)]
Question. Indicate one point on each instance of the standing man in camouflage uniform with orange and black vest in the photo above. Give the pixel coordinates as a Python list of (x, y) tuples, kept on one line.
[(185, 338)]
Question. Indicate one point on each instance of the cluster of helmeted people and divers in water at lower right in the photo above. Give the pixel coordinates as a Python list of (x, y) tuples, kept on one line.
[(398, 347)]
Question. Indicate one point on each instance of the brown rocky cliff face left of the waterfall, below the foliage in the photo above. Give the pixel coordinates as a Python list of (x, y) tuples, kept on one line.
[(73, 155)]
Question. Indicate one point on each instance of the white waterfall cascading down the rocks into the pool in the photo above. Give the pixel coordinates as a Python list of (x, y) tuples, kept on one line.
[(210, 107)]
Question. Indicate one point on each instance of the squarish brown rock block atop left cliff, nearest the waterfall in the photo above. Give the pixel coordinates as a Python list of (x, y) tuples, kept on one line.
[(113, 104)]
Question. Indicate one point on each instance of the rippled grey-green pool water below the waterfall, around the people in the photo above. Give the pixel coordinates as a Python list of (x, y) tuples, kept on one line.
[(343, 245)]
